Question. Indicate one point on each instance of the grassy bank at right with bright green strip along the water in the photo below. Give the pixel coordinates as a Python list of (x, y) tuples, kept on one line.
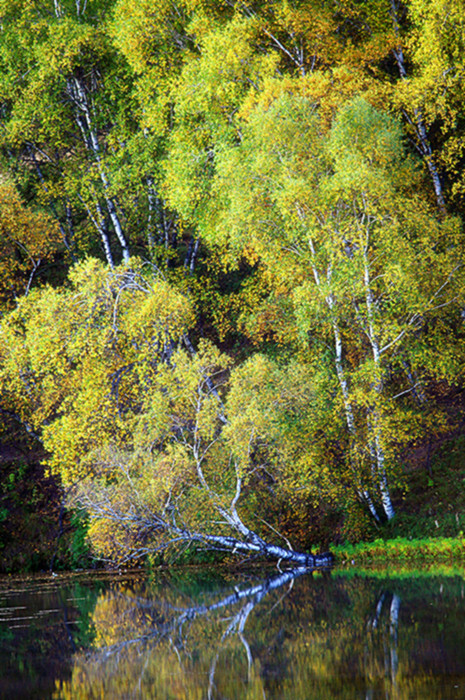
[(428, 529)]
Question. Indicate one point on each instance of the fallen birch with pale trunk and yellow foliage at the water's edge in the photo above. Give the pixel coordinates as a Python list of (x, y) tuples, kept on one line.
[(194, 474)]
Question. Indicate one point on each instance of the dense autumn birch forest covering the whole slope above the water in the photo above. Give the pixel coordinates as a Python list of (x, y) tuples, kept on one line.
[(232, 287)]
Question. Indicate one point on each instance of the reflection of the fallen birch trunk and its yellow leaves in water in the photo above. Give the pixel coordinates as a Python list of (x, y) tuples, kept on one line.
[(196, 635)]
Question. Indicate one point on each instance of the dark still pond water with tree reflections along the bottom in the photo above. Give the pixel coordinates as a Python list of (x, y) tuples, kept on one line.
[(202, 634)]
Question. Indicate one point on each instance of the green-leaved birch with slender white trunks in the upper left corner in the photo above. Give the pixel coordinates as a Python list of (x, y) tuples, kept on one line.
[(61, 99)]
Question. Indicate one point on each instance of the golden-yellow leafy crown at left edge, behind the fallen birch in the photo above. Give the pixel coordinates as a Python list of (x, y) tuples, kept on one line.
[(75, 362)]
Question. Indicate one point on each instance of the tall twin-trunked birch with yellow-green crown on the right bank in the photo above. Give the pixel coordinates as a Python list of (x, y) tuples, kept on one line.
[(337, 222)]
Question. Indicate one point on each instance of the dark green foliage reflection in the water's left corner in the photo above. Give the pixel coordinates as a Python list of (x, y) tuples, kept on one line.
[(56, 622)]
